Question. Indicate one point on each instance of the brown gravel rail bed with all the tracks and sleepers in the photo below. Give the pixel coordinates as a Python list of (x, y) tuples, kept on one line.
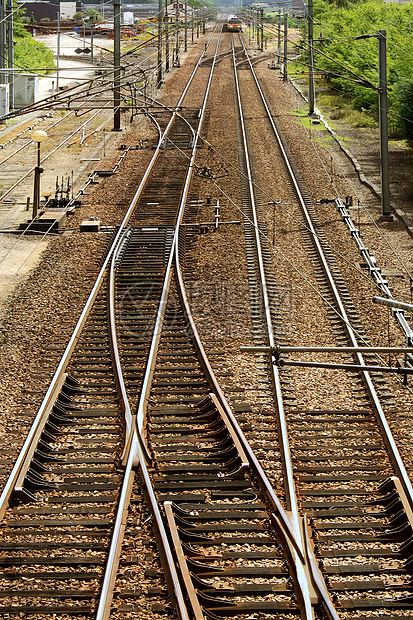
[(204, 413)]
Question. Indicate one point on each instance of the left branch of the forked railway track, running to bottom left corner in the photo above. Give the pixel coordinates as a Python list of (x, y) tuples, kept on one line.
[(64, 489)]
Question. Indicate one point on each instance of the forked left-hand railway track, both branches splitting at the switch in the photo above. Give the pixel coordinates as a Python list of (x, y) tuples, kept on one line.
[(64, 506)]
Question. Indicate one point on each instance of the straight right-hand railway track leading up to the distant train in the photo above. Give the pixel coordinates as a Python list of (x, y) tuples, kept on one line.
[(342, 465)]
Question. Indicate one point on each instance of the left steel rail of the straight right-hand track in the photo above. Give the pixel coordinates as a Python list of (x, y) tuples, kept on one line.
[(289, 484)]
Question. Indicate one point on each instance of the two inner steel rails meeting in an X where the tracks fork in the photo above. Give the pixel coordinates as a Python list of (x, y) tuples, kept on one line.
[(136, 452)]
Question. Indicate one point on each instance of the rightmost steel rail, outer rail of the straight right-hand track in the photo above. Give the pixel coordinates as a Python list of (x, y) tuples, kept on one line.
[(394, 454)]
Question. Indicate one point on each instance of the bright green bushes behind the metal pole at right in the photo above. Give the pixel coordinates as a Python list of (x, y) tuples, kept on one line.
[(351, 65)]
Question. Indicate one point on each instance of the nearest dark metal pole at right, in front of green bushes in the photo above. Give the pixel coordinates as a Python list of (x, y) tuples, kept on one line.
[(384, 147)]
